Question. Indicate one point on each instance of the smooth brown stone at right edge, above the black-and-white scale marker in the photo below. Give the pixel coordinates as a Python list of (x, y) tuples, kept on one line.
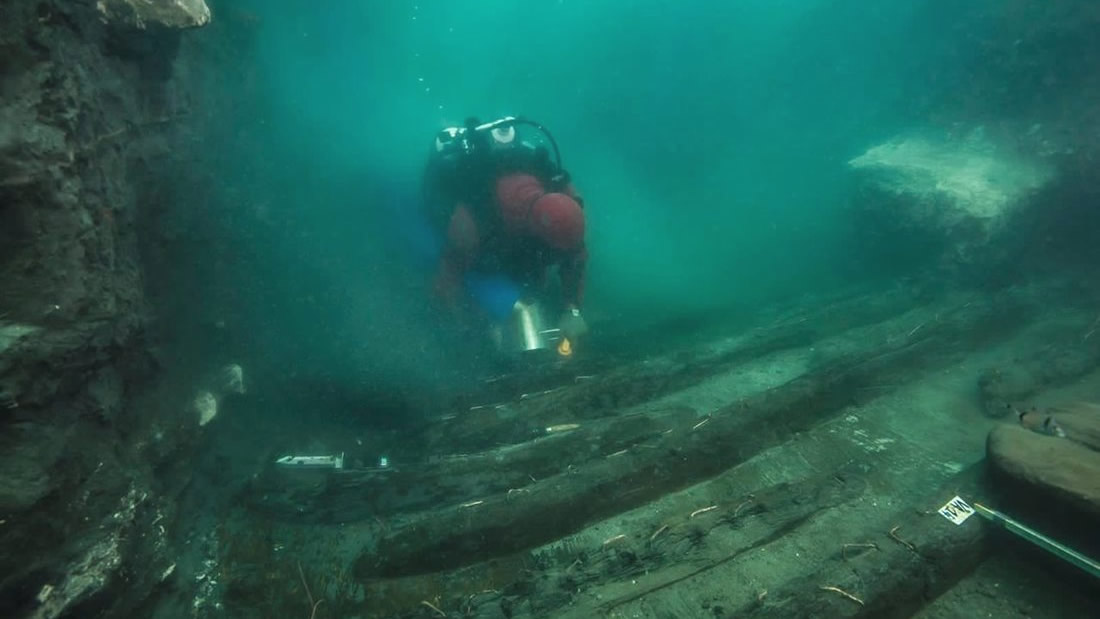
[(1053, 468)]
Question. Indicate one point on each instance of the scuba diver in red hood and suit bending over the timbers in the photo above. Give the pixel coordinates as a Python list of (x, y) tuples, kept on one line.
[(509, 215)]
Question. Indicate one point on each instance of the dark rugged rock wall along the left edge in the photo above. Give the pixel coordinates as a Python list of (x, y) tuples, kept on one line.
[(87, 109)]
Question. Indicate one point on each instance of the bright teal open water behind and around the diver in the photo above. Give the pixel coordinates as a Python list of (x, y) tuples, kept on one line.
[(710, 140)]
